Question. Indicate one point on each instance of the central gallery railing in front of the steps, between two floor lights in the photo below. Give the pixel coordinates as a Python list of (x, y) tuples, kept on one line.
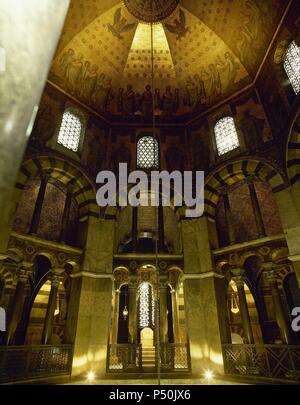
[(126, 357)]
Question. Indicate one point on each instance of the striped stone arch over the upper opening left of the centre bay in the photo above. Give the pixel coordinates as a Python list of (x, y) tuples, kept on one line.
[(68, 174)]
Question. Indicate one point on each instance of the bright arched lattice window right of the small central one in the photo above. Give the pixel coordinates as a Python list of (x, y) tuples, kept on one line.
[(226, 135)]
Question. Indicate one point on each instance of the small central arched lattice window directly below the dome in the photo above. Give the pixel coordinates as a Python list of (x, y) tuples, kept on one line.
[(147, 153)]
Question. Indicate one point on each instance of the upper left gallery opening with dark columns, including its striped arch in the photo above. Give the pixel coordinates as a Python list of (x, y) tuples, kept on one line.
[(53, 199)]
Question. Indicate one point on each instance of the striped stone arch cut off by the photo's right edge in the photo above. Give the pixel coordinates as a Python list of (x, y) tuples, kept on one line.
[(293, 152)]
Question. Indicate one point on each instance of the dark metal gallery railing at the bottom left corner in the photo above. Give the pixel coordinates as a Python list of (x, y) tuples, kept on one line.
[(32, 362)]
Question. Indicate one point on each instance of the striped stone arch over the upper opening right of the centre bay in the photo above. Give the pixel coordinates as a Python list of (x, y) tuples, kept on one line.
[(238, 170)]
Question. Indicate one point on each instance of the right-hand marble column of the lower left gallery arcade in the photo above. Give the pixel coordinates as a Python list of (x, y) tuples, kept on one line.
[(49, 320)]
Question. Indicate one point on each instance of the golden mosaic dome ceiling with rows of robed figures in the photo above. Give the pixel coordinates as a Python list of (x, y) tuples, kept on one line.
[(205, 51)]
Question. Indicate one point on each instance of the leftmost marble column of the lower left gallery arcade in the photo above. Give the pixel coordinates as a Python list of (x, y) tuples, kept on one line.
[(18, 301)]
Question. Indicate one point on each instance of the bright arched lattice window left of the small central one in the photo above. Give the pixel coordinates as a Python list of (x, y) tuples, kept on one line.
[(71, 130)]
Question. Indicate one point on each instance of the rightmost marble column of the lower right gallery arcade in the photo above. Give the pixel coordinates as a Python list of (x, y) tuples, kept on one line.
[(278, 307)]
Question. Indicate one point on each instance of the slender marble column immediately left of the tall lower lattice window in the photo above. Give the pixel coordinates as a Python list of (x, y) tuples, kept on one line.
[(132, 289)]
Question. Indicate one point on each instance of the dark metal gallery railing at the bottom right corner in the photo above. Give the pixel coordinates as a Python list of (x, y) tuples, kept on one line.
[(270, 361)]
